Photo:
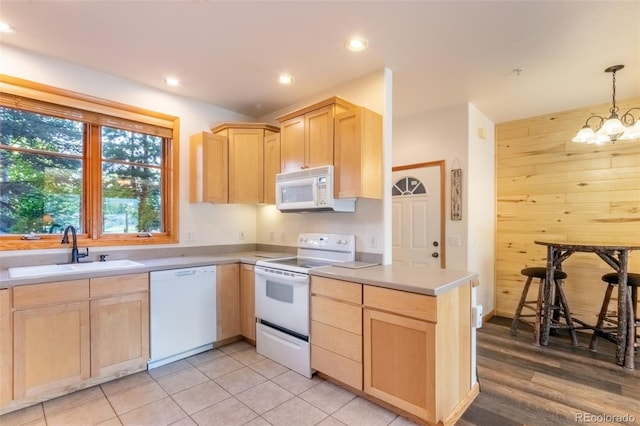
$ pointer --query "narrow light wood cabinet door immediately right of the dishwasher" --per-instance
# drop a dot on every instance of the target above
(228, 300)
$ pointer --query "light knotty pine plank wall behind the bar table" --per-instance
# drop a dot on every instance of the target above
(551, 188)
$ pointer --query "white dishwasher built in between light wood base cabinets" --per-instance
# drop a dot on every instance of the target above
(183, 313)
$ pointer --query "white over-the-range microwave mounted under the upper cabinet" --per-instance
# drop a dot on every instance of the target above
(310, 190)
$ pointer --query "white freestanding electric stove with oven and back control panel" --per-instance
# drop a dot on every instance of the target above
(283, 297)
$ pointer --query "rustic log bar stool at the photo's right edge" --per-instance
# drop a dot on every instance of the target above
(607, 325)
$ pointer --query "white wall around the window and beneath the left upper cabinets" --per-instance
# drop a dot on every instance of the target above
(212, 224)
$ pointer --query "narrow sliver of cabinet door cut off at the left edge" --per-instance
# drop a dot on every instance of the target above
(6, 348)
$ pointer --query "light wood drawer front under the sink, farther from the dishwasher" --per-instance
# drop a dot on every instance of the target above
(31, 296)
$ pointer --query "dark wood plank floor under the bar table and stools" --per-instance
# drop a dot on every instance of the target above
(521, 384)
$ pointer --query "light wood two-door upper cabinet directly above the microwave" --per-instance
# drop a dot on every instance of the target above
(306, 135)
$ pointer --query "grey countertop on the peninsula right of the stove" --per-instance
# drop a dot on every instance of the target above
(432, 282)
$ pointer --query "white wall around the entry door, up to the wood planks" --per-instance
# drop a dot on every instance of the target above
(451, 134)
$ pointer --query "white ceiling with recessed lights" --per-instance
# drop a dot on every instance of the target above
(442, 53)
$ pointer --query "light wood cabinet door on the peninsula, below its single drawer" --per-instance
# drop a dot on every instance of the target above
(399, 362)
